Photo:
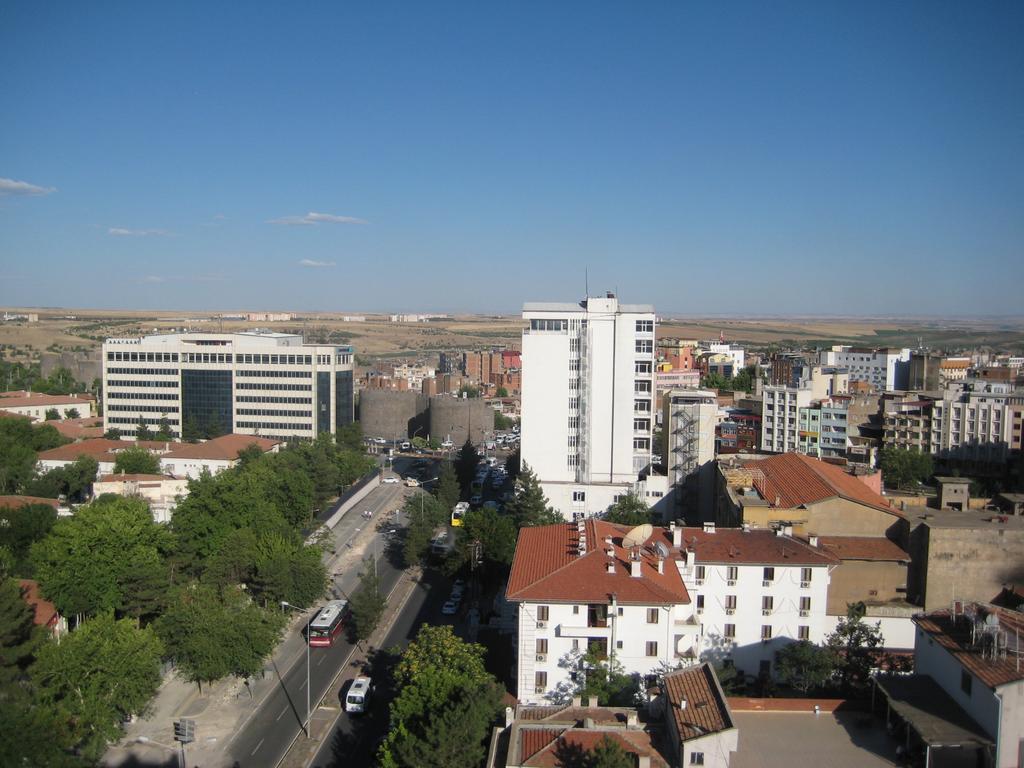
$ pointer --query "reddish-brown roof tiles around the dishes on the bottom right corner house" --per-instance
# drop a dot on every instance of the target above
(956, 638)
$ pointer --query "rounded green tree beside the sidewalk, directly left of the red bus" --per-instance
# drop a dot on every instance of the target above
(203, 627)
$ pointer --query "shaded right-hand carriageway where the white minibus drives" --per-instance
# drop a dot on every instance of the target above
(355, 740)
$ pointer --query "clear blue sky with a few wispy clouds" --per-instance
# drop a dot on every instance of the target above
(741, 158)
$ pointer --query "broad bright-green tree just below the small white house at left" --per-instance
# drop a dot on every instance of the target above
(86, 563)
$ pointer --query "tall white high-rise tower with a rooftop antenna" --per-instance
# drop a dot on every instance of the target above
(588, 374)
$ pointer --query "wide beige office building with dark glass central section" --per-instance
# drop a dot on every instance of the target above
(211, 385)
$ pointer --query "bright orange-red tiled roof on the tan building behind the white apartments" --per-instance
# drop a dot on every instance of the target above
(796, 481)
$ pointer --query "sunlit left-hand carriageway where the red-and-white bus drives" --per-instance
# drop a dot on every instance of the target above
(268, 735)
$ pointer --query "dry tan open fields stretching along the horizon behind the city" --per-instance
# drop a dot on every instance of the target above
(84, 329)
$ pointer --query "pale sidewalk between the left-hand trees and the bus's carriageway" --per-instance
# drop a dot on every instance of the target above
(222, 710)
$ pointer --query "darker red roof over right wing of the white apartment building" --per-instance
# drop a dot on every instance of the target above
(752, 547)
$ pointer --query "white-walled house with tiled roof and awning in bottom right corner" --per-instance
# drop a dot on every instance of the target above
(965, 703)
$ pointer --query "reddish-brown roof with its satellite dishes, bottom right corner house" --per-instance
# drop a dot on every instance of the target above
(961, 636)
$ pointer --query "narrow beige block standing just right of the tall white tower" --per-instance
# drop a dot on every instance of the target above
(689, 418)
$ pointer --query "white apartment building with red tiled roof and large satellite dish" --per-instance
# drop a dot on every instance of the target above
(682, 595)
